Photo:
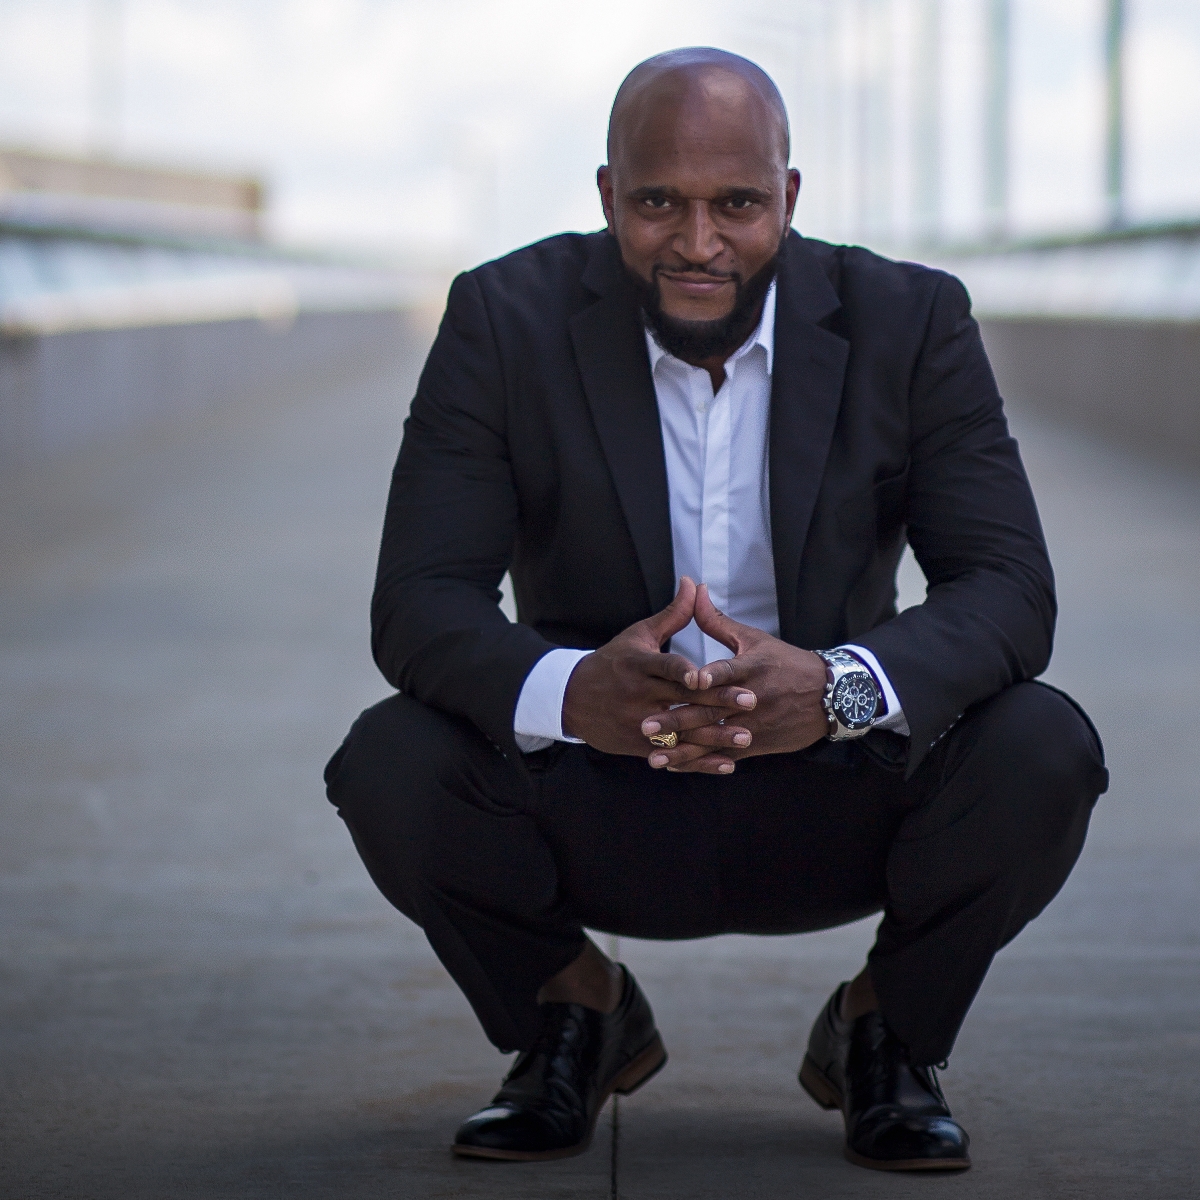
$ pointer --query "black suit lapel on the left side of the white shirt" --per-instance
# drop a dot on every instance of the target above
(610, 351)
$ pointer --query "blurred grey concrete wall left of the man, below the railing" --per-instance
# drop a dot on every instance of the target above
(65, 391)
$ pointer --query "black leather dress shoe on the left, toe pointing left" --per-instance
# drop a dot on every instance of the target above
(549, 1103)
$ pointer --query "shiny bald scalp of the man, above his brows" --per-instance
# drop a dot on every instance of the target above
(691, 85)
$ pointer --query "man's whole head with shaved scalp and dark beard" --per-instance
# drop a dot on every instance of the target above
(699, 195)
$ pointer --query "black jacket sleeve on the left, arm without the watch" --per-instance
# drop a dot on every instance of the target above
(437, 631)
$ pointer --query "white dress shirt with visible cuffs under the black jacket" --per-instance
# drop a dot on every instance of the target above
(718, 482)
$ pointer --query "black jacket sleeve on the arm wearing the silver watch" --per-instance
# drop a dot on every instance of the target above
(989, 616)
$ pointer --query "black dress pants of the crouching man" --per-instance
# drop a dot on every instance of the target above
(503, 868)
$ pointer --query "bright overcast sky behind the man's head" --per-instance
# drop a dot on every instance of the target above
(460, 129)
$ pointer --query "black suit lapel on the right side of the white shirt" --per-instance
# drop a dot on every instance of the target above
(808, 373)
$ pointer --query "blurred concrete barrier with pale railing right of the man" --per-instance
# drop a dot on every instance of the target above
(1101, 331)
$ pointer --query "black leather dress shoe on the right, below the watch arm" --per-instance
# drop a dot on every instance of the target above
(897, 1118)
